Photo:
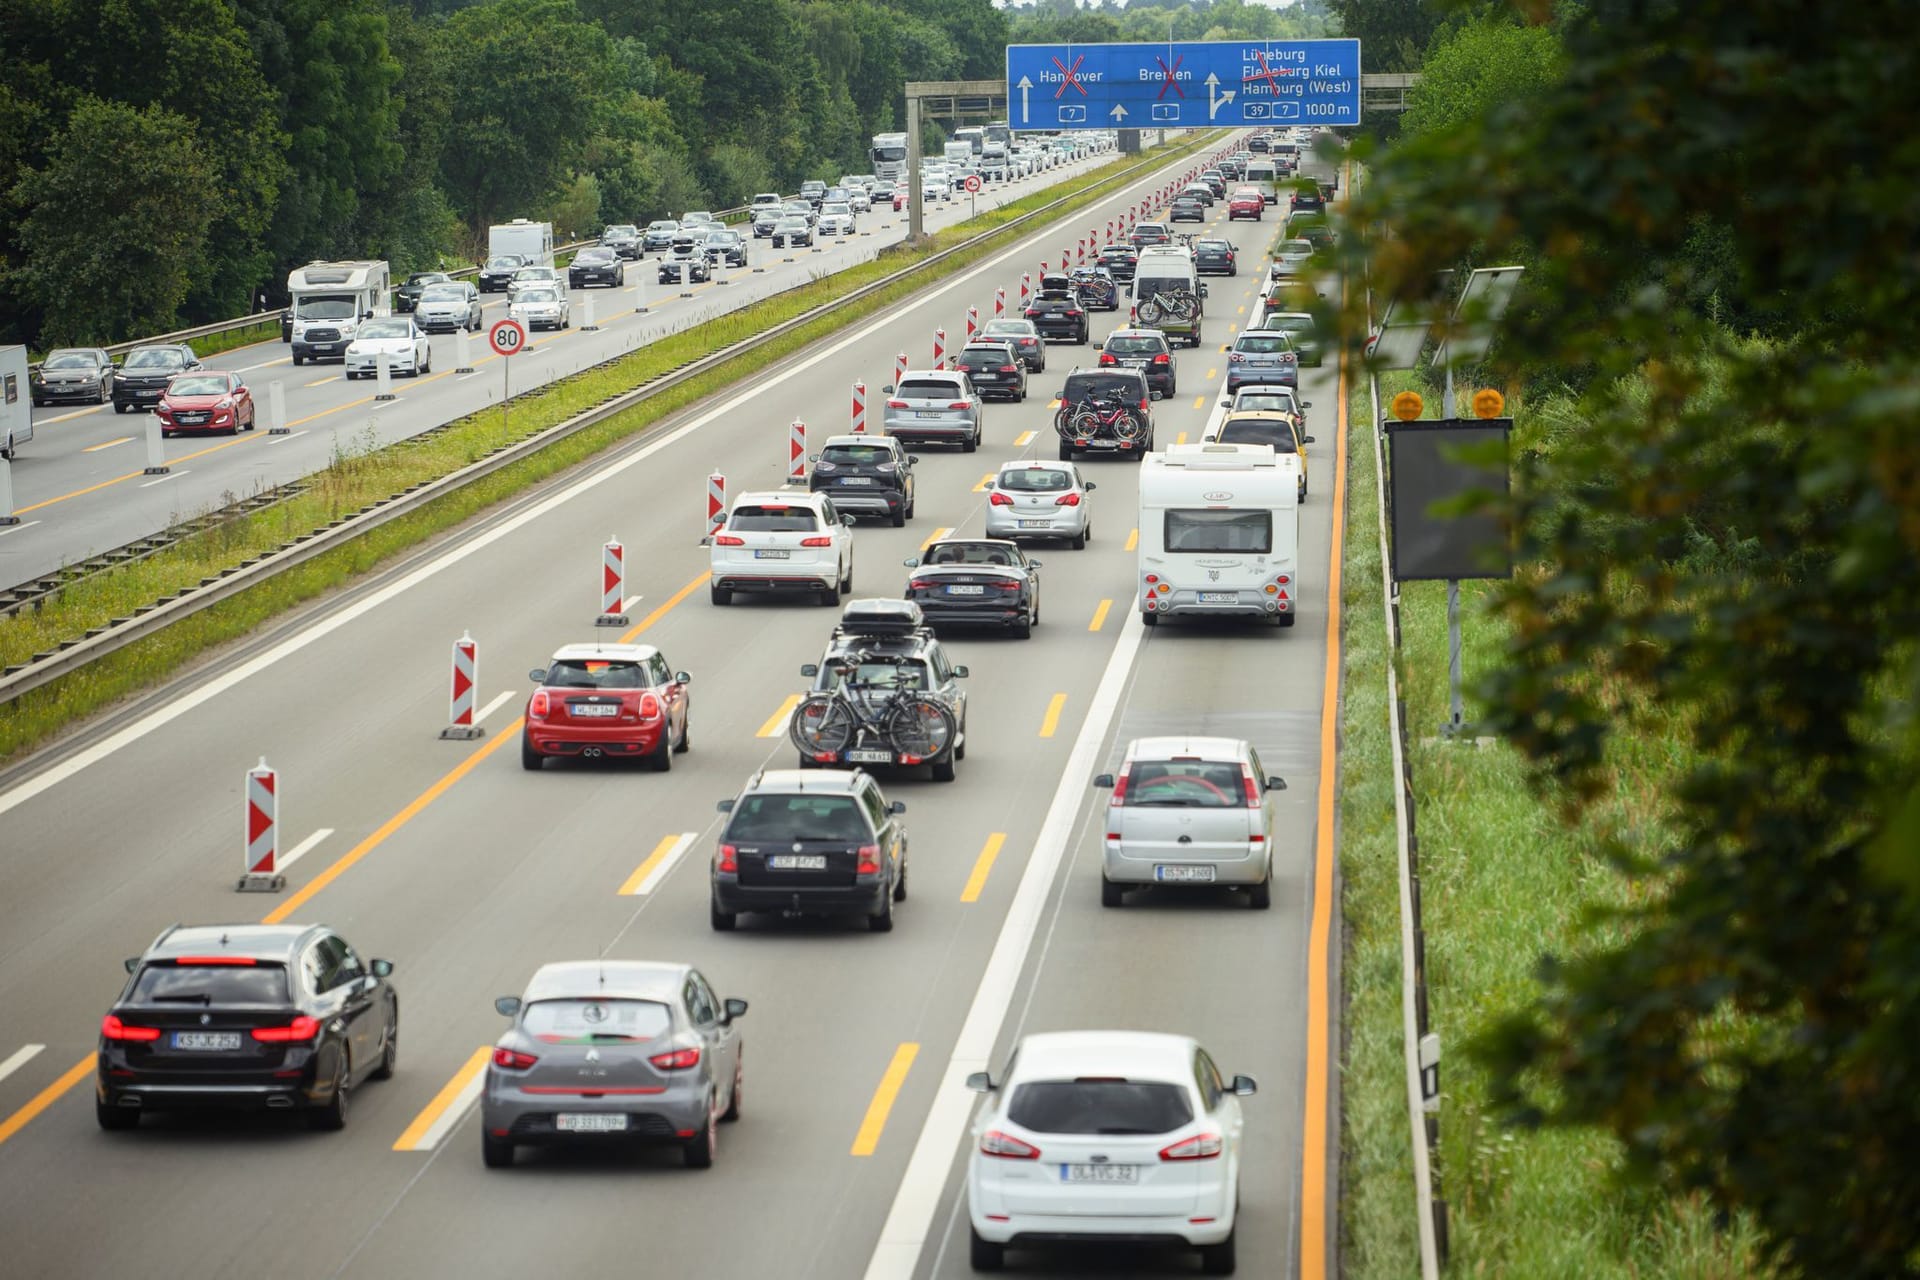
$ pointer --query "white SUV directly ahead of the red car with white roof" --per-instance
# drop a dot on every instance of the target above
(782, 540)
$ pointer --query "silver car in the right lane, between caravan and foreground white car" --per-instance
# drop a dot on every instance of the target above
(1189, 811)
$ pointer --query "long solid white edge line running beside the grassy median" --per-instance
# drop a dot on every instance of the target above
(454, 556)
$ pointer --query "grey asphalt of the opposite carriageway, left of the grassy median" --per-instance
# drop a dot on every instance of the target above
(80, 486)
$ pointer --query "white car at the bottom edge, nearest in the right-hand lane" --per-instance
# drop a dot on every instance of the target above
(1118, 1135)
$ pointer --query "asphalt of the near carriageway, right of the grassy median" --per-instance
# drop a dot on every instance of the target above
(469, 874)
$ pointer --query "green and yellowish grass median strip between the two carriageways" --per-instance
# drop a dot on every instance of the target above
(362, 477)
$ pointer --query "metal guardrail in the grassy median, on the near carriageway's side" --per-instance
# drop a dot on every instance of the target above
(147, 621)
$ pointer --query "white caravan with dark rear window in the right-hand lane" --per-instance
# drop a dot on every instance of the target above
(1220, 534)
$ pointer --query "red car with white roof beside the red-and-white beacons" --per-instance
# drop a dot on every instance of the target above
(617, 701)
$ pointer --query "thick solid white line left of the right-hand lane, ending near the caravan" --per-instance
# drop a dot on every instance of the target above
(911, 1220)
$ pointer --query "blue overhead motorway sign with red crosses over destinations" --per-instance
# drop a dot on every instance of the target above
(1184, 85)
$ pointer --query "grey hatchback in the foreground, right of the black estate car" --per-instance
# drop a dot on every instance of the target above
(613, 1051)
